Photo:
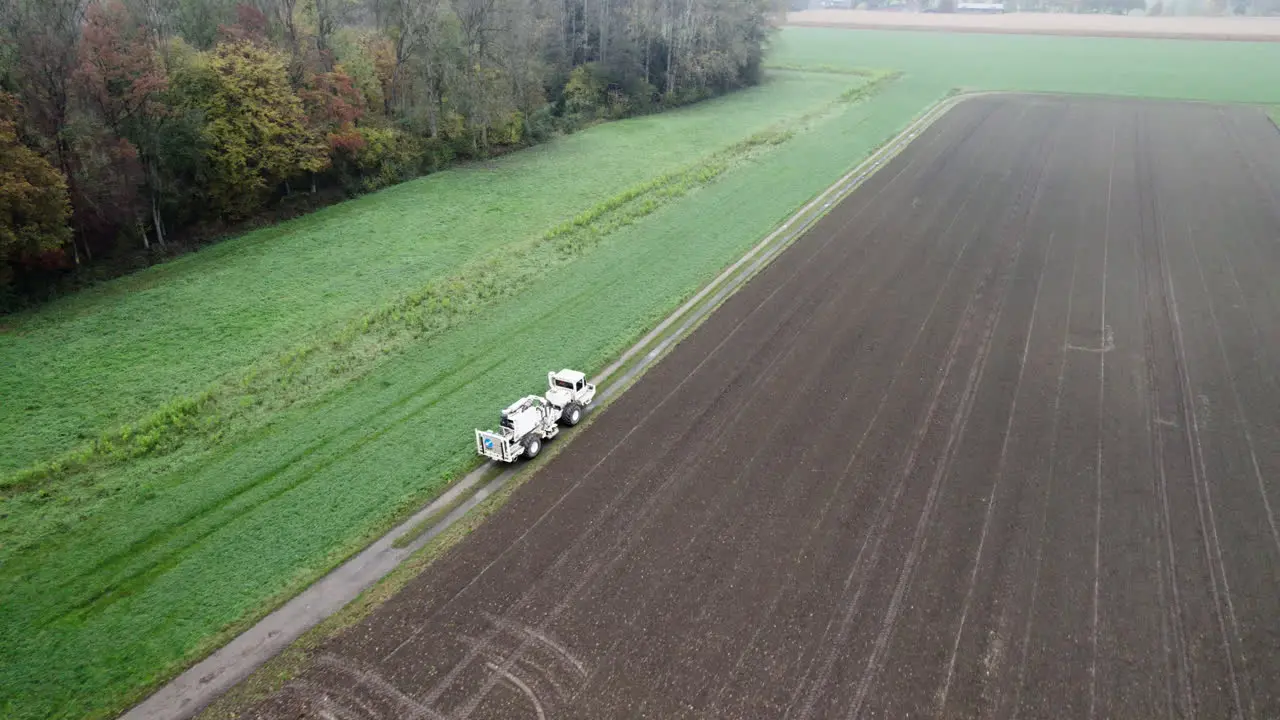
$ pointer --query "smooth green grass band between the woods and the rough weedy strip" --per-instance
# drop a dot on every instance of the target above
(112, 354)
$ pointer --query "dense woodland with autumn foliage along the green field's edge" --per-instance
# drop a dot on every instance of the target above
(126, 125)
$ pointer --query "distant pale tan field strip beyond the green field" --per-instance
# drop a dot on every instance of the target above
(1260, 30)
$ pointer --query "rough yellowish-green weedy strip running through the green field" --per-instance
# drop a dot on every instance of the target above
(310, 371)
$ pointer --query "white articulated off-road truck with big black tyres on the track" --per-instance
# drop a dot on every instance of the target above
(533, 420)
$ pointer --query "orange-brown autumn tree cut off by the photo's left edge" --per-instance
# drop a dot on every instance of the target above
(34, 204)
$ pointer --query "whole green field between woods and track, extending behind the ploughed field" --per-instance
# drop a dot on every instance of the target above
(287, 395)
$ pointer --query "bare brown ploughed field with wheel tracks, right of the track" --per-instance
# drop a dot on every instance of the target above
(999, 438)
